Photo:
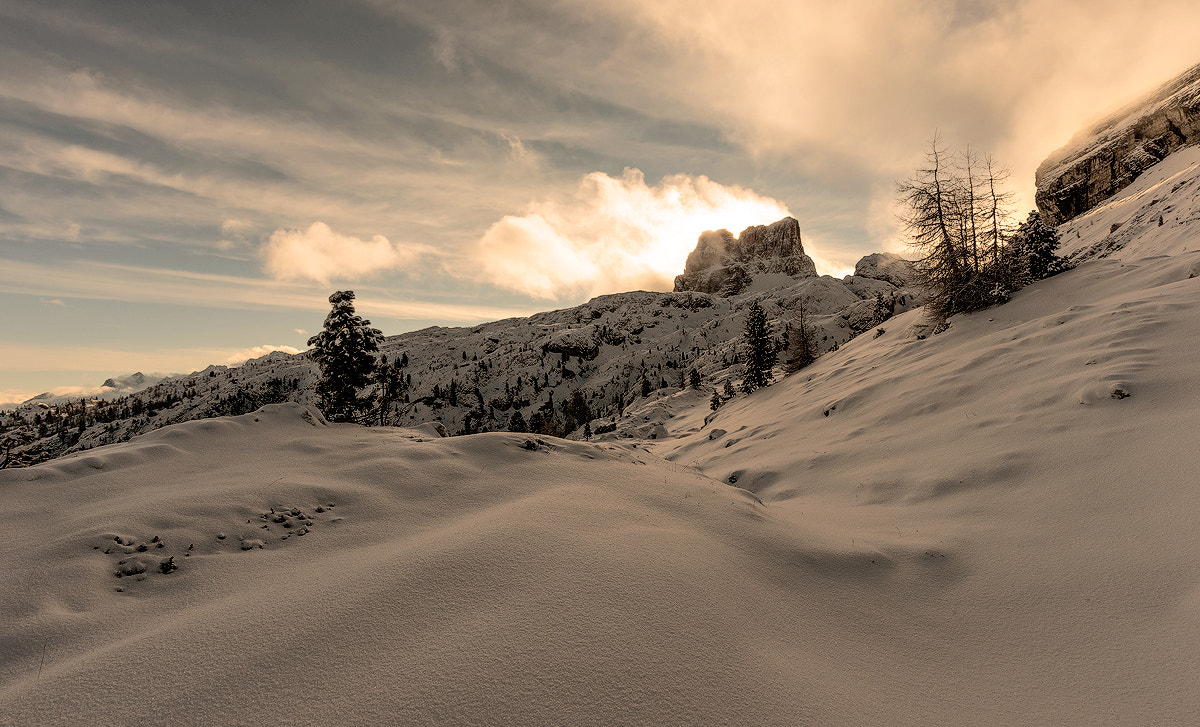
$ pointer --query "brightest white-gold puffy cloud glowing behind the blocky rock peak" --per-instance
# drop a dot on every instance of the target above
(615, 235)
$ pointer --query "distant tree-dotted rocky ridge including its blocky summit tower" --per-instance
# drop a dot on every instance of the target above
(610, 350)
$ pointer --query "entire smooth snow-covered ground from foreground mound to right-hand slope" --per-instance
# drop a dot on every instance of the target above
(992, 526)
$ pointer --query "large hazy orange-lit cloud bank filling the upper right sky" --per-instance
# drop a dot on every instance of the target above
(871, 81)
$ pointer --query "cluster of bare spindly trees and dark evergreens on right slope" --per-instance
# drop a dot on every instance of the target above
(957, 214)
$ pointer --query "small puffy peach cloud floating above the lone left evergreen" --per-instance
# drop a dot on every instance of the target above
(321, 255)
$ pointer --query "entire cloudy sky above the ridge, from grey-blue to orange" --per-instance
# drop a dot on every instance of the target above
(184, 183)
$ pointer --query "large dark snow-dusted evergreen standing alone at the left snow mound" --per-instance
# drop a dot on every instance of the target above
(345, 352)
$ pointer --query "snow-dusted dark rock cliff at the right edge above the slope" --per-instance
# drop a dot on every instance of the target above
(1107, 158)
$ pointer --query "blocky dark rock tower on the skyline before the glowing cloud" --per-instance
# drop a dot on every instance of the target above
(723, 265)
